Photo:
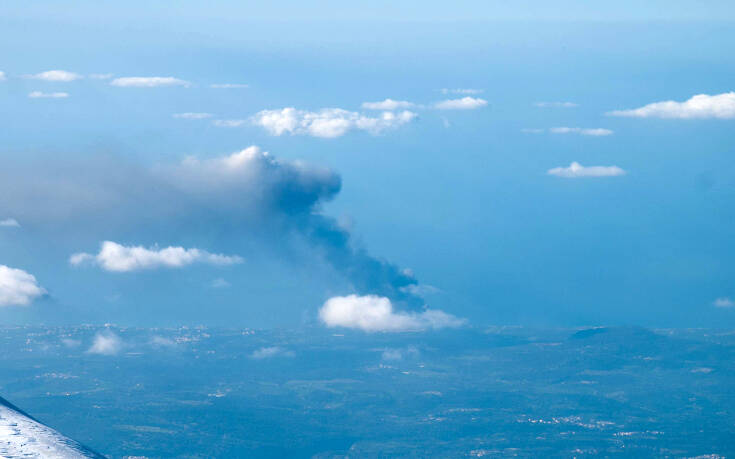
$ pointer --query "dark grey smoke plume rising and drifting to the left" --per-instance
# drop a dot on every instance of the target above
(258, 197)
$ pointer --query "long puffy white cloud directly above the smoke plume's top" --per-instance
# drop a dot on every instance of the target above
(328, 122)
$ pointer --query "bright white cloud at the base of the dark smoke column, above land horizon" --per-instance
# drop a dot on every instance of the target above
(374, 313)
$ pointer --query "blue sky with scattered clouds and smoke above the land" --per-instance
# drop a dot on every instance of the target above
(468, 209)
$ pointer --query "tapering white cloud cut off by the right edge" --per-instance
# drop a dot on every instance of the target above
(701, 106)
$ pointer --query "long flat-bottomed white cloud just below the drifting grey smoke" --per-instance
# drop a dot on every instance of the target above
(119, 258)
